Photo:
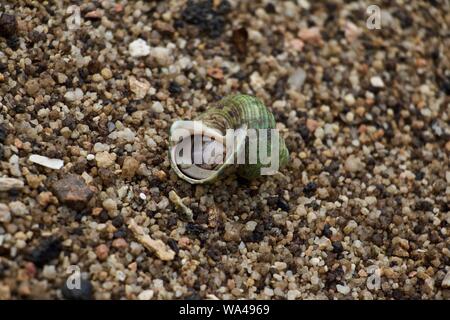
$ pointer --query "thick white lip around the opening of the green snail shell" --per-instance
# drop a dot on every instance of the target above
(195, 174)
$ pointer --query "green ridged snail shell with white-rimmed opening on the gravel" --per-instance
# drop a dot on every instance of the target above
(238, 112)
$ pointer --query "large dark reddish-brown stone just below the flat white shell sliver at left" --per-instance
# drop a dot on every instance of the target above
(72, 191)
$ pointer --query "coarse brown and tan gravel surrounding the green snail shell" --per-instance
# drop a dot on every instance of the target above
(360, 212)
